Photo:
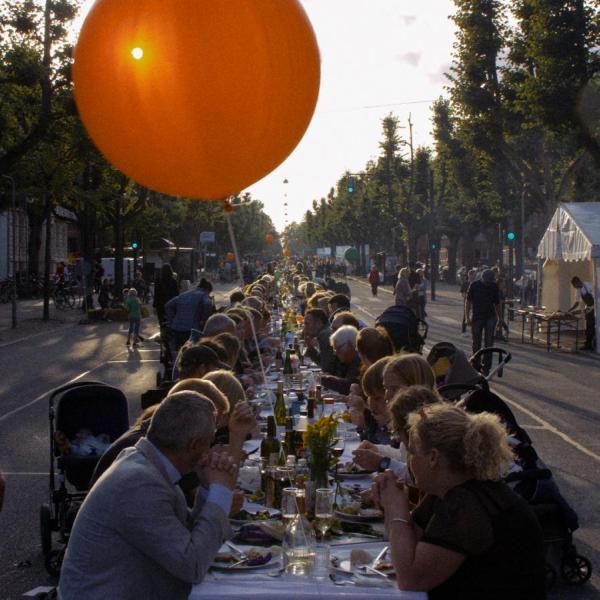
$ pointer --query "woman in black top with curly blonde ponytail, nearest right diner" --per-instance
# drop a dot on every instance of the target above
(471, 537)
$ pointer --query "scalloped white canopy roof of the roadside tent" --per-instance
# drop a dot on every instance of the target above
(573, 233)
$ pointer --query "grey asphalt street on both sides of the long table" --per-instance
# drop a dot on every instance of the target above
(554, 395)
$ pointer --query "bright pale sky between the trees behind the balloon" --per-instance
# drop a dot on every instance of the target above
(378, 56)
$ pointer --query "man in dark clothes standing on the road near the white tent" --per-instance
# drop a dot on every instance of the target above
(483, 299)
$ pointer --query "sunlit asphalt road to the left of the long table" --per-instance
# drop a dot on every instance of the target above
(36, 358)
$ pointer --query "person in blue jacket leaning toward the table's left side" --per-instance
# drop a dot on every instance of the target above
(188, 311)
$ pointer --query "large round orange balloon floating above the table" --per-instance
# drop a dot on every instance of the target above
(196, 98)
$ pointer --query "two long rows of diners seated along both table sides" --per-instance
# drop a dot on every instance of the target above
(158, 510)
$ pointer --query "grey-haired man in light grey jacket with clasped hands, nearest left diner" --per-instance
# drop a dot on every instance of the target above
(134, 536)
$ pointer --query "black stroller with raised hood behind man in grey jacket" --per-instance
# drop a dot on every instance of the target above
(85, 405)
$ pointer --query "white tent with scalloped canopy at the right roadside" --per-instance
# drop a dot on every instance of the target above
(571, 246)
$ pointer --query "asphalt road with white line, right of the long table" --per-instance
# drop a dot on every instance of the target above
(555, 396)
